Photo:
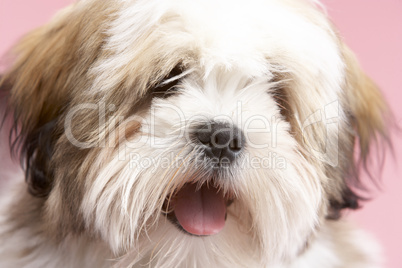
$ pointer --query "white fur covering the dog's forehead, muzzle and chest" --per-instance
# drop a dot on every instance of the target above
(276, 210)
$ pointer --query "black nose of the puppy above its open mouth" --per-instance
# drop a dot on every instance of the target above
(220, 141)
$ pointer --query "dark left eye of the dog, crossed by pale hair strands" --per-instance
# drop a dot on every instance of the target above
(169, 84)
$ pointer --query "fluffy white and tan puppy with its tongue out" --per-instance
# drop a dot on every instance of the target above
(188, 134)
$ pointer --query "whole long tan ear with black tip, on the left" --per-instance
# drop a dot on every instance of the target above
(49, 65)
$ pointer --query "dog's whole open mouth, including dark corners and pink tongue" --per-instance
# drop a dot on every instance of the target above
(198, 210)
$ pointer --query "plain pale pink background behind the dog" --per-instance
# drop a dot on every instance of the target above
(372, 28)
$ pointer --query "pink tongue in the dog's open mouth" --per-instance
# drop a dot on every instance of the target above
(200, 212)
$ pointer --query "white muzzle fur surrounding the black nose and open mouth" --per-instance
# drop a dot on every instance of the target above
(137, 187)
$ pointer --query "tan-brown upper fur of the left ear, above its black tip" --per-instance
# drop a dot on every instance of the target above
(52, 61)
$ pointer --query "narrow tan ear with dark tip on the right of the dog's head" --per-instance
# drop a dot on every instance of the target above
(368, 115)
